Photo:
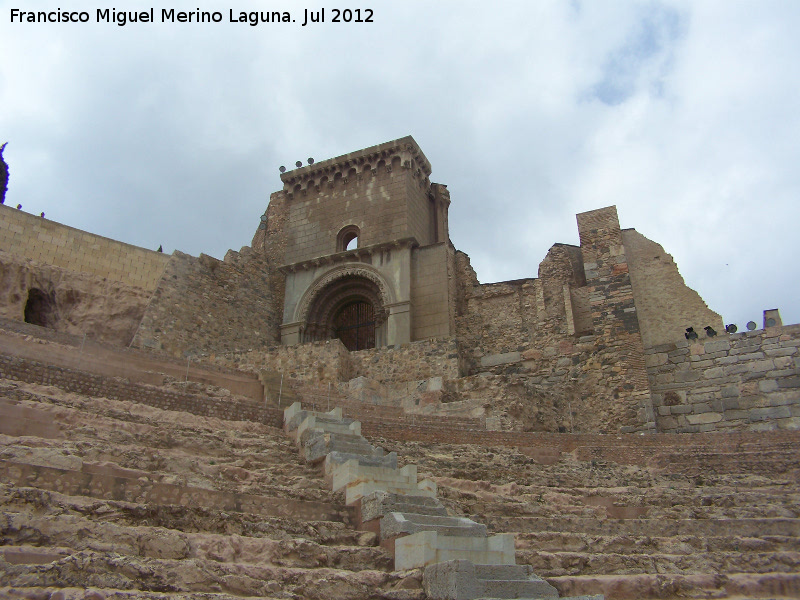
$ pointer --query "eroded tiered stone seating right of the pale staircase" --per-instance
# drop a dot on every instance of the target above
(632, 531)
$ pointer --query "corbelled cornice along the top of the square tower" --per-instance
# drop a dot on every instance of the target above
(357, 166)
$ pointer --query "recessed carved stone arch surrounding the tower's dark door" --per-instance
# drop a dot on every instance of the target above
(331, 294)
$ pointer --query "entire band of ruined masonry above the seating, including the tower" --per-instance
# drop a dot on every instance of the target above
(351, 283)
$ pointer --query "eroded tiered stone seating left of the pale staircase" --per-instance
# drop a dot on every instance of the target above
(105, 498)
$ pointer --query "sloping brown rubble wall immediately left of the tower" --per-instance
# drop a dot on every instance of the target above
(204, 306)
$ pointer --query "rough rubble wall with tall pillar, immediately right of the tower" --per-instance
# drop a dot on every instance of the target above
(563, 351)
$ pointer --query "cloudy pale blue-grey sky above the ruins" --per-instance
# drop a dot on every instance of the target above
(683, 114)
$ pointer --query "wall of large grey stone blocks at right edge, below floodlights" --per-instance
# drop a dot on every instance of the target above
(742, 381)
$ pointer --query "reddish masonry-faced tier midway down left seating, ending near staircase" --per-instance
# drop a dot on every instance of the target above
(97, 482)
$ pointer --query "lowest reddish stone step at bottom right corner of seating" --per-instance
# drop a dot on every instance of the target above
(677, 585)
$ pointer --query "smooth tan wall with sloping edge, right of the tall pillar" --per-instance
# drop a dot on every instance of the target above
(665, 305)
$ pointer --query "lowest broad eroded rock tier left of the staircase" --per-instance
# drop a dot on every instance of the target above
(86, 569)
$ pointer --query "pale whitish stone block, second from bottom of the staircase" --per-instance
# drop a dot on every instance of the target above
(428, 547)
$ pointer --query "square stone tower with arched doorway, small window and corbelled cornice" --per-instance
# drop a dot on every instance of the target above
(368, 258)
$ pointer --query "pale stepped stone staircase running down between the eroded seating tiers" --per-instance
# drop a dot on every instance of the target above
(461, 560)
